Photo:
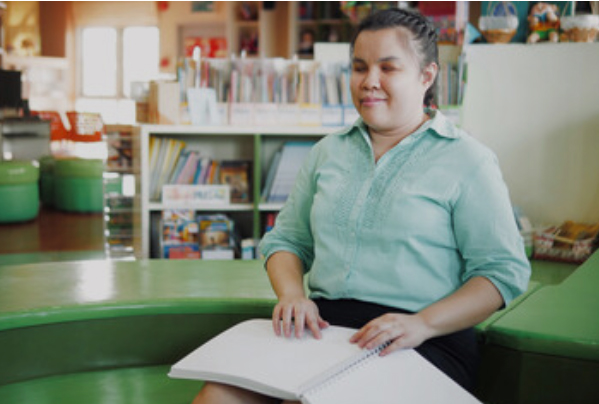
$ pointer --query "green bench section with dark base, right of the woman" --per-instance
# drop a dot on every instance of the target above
(547, 350)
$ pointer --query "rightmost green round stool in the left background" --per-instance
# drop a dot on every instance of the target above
(78, 185)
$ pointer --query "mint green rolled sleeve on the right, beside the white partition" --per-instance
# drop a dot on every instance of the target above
(486, 232)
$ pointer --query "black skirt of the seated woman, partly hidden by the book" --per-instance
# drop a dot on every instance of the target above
(455, 354)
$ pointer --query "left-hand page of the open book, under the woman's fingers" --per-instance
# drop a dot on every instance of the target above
(251, 356)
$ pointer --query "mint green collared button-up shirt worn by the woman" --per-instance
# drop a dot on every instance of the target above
(406, 231)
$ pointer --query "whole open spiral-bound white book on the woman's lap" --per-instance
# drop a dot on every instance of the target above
(329, 370)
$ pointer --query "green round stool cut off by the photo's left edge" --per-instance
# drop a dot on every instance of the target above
(19, 194)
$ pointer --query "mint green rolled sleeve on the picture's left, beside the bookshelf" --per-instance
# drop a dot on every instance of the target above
(292, 230)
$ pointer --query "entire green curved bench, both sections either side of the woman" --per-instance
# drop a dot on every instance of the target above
(108, 331)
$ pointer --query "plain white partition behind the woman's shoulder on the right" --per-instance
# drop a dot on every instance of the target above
(537, 107)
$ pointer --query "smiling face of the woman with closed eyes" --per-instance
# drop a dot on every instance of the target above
(387, 82)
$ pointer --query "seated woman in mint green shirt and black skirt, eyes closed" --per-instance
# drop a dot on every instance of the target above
(401, 222)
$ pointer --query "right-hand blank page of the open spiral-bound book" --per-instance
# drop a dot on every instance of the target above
(401, 377)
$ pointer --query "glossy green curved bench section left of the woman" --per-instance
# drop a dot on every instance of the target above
(111, 330)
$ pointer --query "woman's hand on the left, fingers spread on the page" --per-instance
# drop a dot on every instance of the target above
(300, 312)
